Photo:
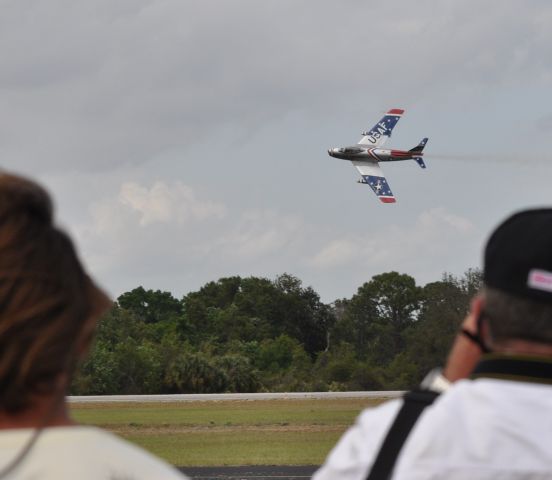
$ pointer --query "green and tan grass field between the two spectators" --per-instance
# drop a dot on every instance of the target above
(263, 432)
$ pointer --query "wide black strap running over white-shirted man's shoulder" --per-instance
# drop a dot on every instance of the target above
(414, 404)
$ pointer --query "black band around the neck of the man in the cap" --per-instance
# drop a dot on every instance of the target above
(515, 367)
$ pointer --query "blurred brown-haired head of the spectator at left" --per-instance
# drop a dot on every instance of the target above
(48, 304)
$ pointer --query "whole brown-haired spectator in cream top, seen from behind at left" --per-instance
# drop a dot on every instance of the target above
(49, 308)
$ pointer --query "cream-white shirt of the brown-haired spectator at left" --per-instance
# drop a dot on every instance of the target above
(83, 453)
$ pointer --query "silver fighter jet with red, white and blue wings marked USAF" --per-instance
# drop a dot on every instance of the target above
(367, 154)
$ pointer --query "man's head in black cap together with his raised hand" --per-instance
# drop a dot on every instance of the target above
(513, 313)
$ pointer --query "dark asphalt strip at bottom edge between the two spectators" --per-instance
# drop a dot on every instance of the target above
(256, 472)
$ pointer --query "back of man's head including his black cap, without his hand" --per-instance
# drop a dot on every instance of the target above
(518, 279)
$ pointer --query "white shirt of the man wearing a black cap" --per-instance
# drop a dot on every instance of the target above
(478, 430)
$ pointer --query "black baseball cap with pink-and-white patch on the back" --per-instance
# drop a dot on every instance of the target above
(518, 255)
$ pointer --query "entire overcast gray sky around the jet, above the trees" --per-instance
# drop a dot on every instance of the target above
(185, 141)
